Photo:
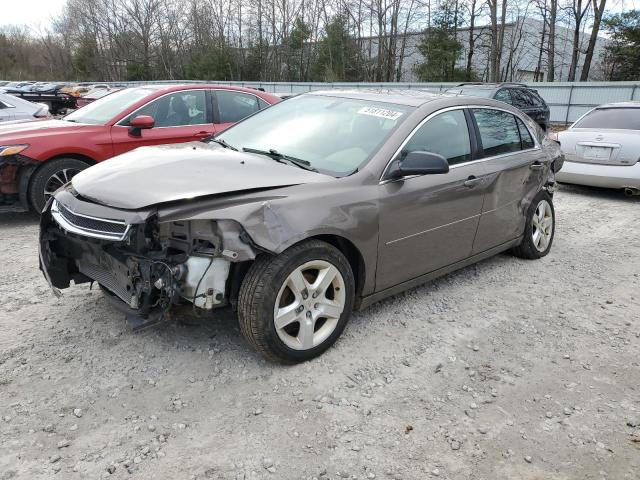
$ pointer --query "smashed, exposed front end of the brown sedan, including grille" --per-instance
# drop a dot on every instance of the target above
(146, 267)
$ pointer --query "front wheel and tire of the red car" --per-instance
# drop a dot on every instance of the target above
(52, 174)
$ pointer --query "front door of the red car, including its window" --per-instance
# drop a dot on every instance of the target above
(181, 116)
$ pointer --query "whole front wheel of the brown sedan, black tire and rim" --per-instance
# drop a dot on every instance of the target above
(272, 279)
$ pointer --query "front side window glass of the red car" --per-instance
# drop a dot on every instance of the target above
(177, 109)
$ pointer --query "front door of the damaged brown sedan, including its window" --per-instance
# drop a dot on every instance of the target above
(428, 222)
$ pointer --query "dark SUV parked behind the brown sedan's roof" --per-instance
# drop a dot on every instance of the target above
(519, 95)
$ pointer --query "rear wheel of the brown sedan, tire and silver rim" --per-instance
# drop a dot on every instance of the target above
(538, 235)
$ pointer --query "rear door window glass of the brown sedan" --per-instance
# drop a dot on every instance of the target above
(498, 131)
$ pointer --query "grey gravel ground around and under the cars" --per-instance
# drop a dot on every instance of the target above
(507, 369)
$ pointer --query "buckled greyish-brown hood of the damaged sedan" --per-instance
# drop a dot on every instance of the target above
(153, 175)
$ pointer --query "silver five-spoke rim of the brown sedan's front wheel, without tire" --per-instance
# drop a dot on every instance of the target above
(309, 305)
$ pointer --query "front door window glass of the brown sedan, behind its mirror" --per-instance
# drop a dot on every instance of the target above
(446, 134)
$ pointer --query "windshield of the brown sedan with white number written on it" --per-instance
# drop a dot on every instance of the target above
(333, 135)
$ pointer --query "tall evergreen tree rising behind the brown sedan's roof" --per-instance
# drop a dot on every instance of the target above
(441, 49)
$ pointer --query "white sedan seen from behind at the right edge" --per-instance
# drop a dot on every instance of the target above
(602, 148)
